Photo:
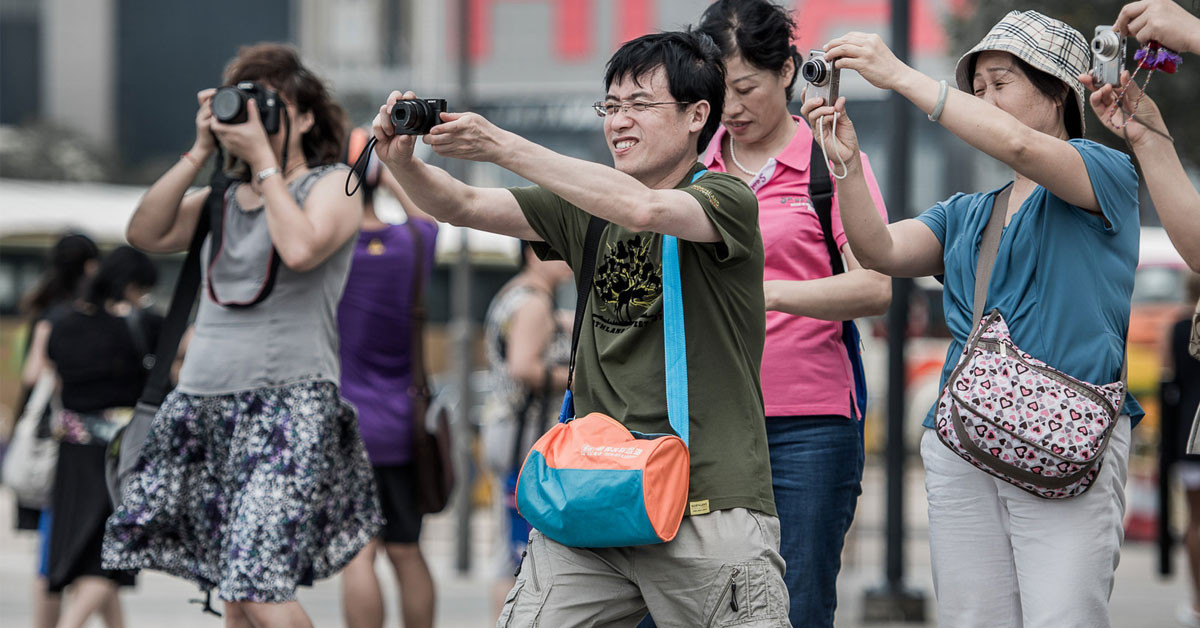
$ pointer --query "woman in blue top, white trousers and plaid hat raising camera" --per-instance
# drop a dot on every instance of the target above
(1063, 282)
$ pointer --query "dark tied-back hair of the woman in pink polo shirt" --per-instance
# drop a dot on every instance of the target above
(760, 31)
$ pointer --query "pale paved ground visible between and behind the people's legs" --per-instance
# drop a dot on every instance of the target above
(1141, 599)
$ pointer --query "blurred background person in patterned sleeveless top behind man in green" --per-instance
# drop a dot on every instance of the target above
(527, 349)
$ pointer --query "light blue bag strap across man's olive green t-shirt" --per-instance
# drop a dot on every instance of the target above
(675, 338)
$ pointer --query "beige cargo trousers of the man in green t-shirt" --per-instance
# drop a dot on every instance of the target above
(722, 570)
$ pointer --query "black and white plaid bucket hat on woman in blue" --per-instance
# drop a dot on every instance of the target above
(1046, 44)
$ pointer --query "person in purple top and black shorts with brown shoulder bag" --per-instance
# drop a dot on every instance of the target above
(379, 320)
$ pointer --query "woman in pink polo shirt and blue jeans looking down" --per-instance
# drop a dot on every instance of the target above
(807, 382)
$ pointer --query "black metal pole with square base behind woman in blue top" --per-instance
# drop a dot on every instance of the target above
(893, 601)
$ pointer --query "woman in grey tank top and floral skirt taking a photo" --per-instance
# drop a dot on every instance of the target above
(255, 479)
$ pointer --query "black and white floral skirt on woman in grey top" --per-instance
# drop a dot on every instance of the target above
(250, 494)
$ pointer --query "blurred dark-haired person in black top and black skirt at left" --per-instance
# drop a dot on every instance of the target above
(101, 351)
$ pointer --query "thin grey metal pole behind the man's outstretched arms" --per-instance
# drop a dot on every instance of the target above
(463, 328)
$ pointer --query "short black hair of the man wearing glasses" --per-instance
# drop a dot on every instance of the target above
(693, 65)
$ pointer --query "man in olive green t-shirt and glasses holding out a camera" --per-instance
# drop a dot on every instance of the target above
(664, 101)
